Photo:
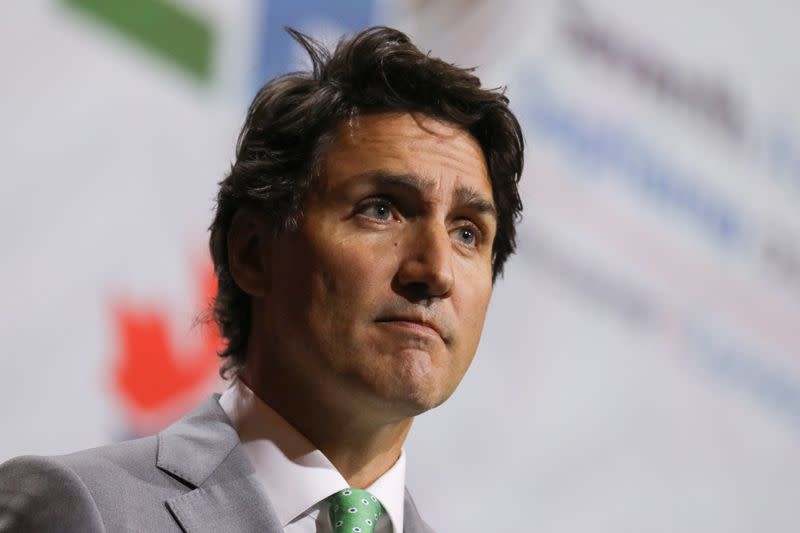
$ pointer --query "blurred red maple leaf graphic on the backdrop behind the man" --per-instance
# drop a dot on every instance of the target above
(153, 371)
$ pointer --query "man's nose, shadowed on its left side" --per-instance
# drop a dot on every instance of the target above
(426, 269)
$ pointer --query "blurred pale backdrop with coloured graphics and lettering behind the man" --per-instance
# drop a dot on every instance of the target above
(640, 368)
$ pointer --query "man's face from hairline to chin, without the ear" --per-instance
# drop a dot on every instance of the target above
(380, 295)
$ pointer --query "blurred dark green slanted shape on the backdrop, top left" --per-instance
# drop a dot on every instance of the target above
(173, 33)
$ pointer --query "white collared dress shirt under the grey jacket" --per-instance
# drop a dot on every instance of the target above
(295, 475)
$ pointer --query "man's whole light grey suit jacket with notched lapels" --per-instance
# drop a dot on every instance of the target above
(194, 476)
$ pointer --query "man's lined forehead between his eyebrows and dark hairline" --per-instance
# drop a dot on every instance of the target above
(444, 157)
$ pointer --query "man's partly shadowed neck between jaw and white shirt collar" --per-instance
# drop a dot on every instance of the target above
(361, 447)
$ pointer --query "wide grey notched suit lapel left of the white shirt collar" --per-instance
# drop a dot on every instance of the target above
(204, 451)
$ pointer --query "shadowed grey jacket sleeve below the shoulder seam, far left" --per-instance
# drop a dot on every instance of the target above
(43, 494)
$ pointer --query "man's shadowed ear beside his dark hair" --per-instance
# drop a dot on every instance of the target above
(249, 251)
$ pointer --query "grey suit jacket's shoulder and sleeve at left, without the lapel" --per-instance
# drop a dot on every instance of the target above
(117, 487)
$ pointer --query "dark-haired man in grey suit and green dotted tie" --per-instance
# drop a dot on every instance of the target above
(370, 208)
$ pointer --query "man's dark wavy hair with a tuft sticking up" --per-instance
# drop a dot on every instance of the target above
(294, 115)
